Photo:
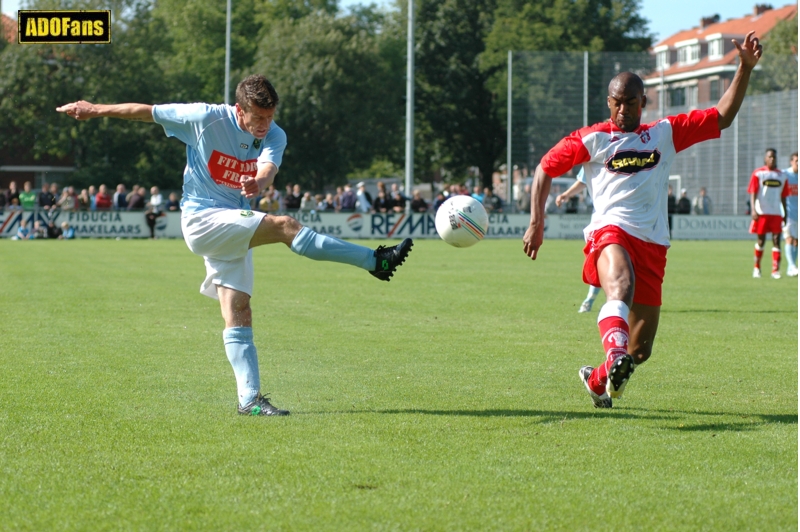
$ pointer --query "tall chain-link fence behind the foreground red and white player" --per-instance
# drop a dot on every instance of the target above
(555, 93)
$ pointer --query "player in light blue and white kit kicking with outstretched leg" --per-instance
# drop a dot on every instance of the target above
(233, 153)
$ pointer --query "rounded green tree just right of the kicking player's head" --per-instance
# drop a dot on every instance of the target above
(341, 94)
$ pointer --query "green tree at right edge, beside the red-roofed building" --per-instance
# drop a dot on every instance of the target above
(778, 66)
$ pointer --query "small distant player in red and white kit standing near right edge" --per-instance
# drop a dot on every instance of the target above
(768, 190)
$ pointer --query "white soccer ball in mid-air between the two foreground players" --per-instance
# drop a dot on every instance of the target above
(462, 221)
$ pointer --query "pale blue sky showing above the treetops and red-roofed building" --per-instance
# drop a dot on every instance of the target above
(666, 16)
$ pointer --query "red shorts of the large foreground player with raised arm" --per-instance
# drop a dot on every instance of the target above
(649, 261)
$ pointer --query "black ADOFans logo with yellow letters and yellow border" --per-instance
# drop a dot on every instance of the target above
(64, 27)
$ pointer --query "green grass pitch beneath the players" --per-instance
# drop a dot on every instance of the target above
(447, 399)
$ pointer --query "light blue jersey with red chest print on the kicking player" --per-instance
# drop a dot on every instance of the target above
(218, 153)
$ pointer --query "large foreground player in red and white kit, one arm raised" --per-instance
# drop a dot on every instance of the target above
(627, 164)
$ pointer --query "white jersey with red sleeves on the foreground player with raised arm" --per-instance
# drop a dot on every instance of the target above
(629, 171)
